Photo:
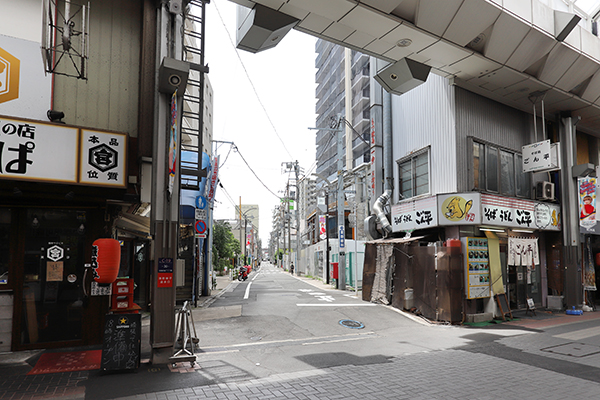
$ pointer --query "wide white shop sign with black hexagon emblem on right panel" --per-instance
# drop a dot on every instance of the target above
(38, 151)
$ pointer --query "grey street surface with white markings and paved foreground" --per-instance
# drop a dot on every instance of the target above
(277, 336)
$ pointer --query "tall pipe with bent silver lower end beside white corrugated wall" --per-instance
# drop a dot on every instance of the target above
(379, 205)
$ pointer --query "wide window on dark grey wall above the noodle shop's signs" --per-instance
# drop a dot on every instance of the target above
(500, 171)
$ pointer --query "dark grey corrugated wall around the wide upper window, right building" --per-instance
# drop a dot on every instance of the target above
(490, 121)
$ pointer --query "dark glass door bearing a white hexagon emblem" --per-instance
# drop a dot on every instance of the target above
(53, 266)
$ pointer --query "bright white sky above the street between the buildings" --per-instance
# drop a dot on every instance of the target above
(266, 135)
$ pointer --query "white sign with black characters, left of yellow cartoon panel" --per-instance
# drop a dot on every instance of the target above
(414, 214)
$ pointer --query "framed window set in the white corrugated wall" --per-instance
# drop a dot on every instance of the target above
(414, 175)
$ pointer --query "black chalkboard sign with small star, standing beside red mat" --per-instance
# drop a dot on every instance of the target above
(122, 340)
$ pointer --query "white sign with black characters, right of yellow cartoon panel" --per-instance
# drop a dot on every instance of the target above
(516, 213)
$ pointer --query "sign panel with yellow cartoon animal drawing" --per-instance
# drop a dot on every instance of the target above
(459, 209)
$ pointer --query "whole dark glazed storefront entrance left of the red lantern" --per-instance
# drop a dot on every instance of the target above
(48, 251)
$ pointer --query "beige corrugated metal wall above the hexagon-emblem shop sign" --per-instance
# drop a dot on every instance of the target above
(109, 98)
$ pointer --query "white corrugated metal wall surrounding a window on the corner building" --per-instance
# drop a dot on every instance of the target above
(425, 117)
